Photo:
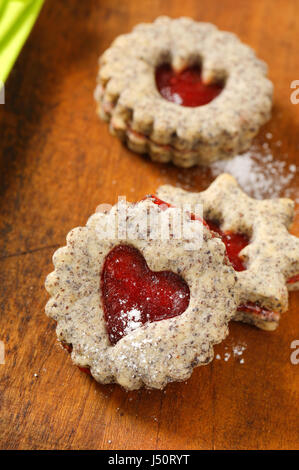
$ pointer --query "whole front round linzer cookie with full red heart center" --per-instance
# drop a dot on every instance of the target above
(143, 310)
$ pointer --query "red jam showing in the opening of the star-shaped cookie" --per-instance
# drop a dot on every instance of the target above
(234, 243)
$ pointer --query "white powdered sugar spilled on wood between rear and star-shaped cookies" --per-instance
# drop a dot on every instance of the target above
(259, 173)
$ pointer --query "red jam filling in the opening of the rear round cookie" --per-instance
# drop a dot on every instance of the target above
(186, 87)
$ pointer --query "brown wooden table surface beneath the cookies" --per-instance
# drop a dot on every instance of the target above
(58, 162)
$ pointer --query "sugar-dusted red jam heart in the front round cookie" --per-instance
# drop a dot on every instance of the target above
(133, 295)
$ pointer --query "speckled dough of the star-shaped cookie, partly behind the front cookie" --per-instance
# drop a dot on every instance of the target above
(271, 257)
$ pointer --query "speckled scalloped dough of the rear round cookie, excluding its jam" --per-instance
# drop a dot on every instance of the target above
(128, 98)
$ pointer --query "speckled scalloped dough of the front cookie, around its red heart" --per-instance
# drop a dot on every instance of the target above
(155, 353)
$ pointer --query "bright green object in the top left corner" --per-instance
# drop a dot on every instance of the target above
(17, 18)
